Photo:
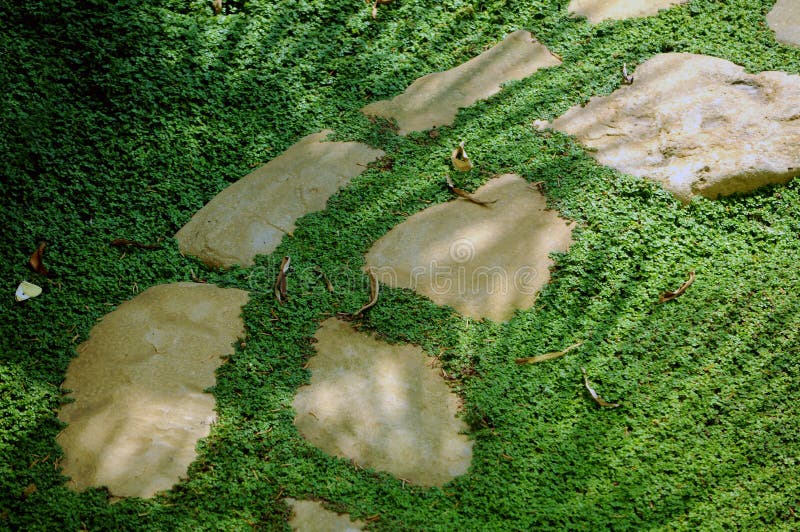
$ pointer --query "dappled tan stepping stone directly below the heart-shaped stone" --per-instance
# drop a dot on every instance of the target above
(383, 406)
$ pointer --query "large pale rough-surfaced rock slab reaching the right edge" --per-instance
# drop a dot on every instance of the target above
(697, 124)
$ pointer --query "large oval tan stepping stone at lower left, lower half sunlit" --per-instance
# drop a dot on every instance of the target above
(138, 384)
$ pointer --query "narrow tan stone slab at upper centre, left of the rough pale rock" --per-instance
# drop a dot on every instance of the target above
(434, 100)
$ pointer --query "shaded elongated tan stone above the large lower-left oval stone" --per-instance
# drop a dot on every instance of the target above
(251, 216)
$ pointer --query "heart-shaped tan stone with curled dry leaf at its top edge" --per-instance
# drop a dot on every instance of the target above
(485, 261)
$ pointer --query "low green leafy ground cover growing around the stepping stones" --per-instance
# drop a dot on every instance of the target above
(122, 119)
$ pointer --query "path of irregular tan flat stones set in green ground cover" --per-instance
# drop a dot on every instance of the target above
(139, 381)
